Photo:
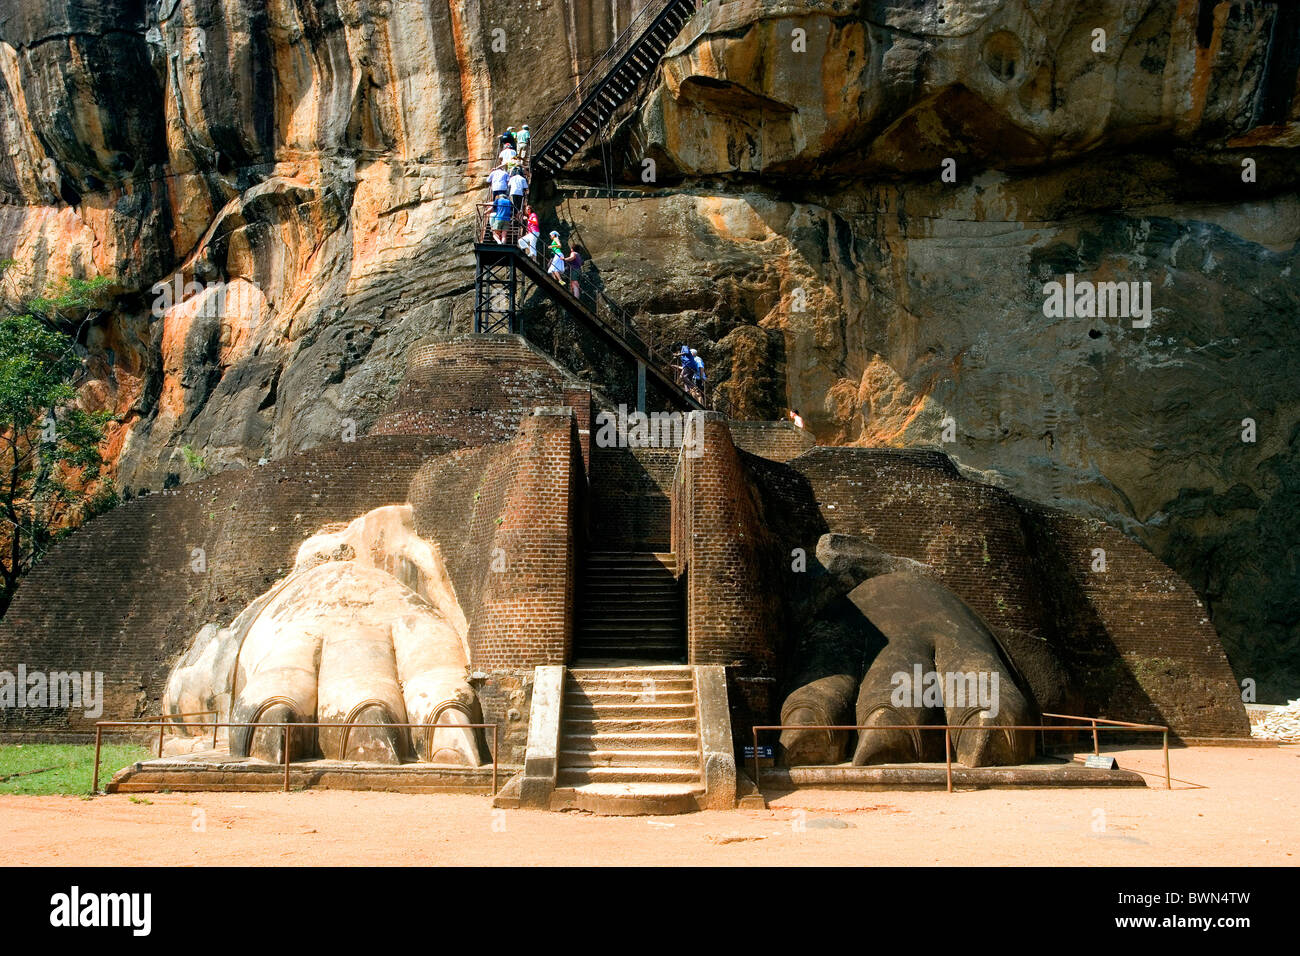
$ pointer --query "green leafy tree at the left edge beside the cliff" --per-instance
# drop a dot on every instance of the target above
(50, 448)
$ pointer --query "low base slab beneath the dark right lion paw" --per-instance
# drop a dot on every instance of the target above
(935, 777)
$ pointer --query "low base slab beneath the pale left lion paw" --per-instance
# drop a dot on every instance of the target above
(218, 771)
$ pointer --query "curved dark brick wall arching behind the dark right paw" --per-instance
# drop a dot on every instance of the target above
(1137, 638)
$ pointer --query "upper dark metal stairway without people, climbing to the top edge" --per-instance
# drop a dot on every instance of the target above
(610, 84)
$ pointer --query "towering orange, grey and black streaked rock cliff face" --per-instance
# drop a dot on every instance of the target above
(313, 166)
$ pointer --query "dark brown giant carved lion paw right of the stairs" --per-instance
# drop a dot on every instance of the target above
(903, 650)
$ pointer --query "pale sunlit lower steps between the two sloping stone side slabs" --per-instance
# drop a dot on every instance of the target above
(630, 742)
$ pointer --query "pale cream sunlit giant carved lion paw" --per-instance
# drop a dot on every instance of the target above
(365, 630)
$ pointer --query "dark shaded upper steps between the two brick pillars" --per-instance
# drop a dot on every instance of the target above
(630, 608)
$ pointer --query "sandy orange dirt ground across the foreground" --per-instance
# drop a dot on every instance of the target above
(1229, 807)
